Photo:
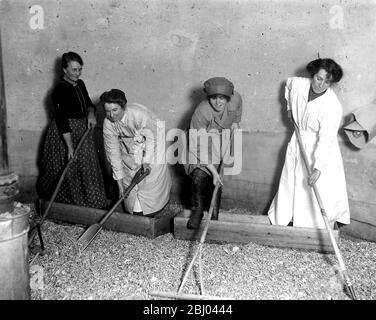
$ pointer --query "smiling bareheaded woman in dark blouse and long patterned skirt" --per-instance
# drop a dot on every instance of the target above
(74, 113)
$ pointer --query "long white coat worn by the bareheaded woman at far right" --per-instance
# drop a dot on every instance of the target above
(318, 122)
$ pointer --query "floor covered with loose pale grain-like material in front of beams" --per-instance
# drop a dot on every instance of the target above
(127, 267)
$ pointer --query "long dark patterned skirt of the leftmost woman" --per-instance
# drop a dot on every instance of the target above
(83, 183)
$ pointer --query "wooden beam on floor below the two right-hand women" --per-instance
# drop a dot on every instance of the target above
(242, 228)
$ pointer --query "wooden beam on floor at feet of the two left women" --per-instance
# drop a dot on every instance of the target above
(150, 227)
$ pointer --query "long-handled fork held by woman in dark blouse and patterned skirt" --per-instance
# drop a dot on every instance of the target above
(36, 228)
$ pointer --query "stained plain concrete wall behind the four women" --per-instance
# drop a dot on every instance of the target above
(160, 52)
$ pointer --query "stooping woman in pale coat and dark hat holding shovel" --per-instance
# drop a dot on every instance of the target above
(130, 133)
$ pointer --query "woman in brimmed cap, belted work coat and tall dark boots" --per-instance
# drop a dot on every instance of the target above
(222, 109)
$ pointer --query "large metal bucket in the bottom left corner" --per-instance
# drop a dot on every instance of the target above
(14, 267)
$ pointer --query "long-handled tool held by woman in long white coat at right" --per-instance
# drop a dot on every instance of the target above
(342, 270)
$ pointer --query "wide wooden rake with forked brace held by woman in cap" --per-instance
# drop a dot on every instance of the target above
(198, 254)
